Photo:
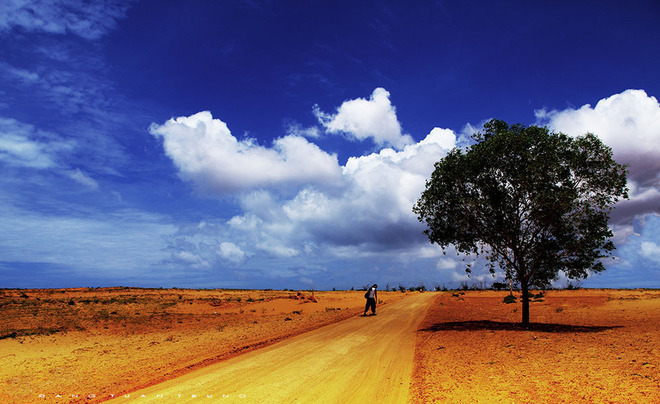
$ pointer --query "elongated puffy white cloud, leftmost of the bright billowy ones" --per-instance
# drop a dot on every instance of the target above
(207, 154)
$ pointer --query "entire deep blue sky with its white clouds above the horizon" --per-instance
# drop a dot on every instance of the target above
(272, 144)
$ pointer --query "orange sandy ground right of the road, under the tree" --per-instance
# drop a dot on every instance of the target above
(592, 346)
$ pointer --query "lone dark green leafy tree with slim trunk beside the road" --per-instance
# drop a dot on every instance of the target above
(531, 201)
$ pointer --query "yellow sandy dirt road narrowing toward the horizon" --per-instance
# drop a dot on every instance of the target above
(359, 360)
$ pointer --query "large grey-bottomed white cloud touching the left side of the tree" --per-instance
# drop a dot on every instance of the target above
(373, 214)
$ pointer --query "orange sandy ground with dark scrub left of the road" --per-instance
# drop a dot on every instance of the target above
(85, 344)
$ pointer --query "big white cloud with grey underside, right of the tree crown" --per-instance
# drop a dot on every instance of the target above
(629, 122)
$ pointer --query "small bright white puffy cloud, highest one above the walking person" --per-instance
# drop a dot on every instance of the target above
(362, 119)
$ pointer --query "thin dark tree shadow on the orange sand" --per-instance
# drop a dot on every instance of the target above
(481, 325)
